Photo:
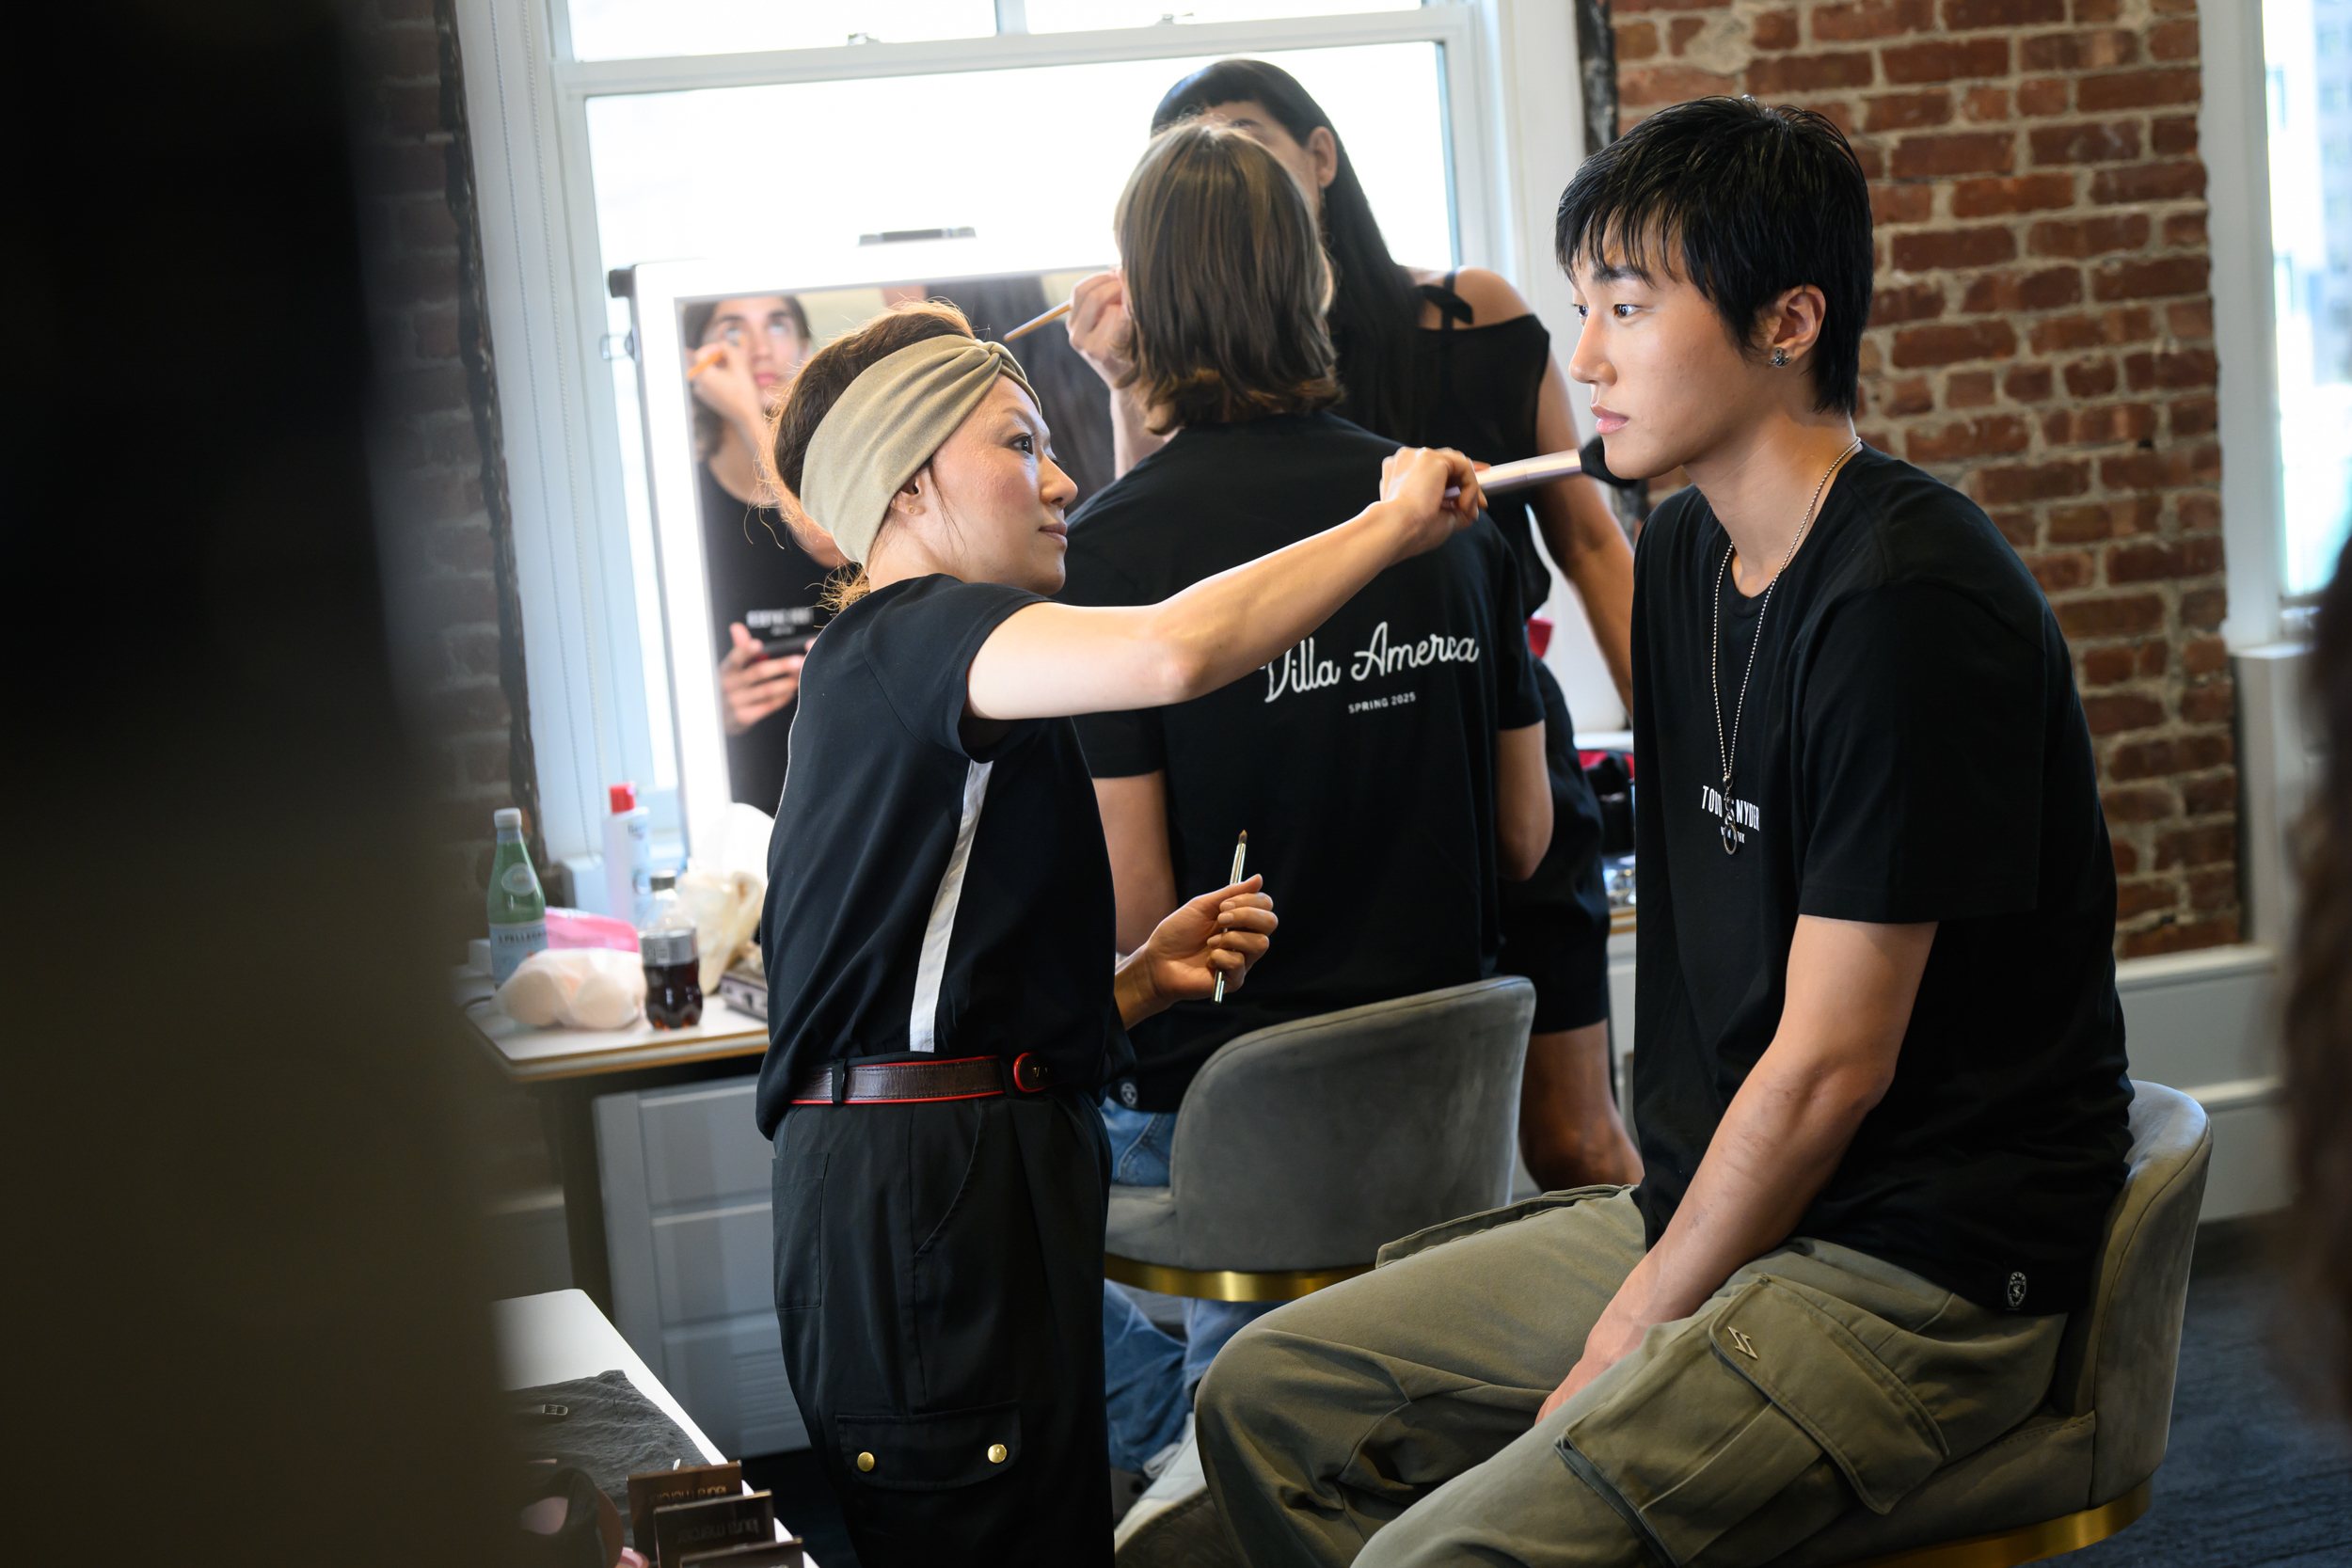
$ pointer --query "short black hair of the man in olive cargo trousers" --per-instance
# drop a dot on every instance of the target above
(1758, 201)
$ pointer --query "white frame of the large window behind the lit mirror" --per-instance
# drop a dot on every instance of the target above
(1516, 112)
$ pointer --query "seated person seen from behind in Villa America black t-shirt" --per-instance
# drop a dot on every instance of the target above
(1389, 770)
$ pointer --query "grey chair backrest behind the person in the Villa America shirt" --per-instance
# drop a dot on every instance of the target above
(1311, 1144)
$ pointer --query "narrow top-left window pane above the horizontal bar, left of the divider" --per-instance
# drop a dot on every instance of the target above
(636, 29)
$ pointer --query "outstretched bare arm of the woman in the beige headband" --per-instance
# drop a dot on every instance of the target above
(1064, 659)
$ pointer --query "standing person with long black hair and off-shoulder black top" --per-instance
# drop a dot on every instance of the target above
(1455, 361)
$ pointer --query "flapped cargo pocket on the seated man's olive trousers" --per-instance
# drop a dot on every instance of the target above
(1735, 1409)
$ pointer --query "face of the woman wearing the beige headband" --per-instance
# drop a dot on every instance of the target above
(998, 497)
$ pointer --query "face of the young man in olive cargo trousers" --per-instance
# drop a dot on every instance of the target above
(1666, 380)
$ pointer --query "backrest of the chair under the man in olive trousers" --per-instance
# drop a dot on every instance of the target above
(2120, 1353)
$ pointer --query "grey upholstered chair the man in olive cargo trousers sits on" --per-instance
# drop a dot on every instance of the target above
(2078, 1470)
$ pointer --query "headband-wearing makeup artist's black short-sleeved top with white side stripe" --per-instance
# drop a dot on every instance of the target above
(928, 902)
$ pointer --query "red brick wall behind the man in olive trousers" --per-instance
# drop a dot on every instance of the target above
(2043, 340)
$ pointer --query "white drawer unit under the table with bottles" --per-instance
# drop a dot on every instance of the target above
(686, 1184)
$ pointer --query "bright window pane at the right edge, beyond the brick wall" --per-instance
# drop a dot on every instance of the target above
(2311, 241)
